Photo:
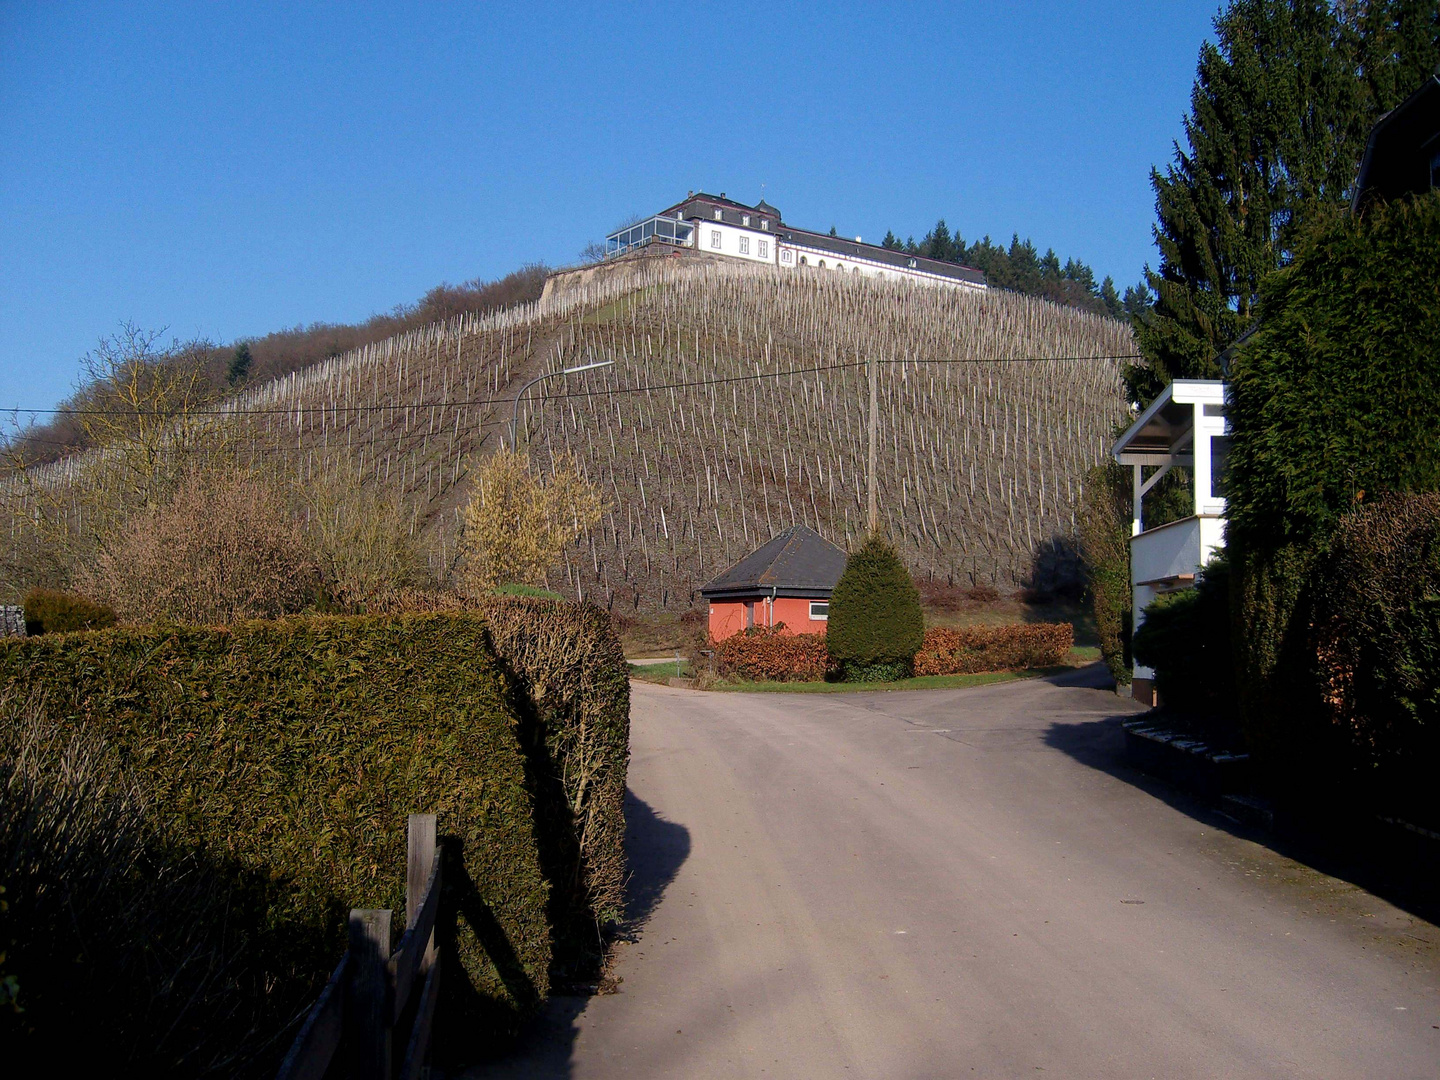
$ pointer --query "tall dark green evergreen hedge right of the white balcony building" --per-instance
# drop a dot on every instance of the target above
(1336, 401)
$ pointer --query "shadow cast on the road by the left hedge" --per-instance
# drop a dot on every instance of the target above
(656, 850)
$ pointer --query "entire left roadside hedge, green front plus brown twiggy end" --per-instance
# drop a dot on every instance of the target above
(292, 752)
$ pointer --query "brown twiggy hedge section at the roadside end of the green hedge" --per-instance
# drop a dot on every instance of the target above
(575, 685)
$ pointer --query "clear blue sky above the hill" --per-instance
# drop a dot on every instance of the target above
(228, 171)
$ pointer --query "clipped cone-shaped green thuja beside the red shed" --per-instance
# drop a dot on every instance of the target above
(876, 624)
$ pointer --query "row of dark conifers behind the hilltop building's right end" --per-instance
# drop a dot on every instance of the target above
(1022, 269)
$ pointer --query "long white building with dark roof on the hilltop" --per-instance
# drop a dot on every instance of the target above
(755, 234)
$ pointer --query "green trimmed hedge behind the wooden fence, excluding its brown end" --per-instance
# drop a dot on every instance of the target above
(284, 758)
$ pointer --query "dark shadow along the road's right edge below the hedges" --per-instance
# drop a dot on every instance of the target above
(1383, 860)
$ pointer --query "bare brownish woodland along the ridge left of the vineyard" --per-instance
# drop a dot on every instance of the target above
(258, 359)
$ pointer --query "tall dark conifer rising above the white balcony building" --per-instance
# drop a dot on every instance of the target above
(1282, 104)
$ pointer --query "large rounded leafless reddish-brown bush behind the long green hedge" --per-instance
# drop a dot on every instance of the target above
(227, 548)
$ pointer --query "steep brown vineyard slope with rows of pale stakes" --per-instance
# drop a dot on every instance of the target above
(737, 405)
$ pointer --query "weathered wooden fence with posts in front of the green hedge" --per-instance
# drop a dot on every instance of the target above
(374, 1019)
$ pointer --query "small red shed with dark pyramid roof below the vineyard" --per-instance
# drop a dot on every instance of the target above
(788, 581)
